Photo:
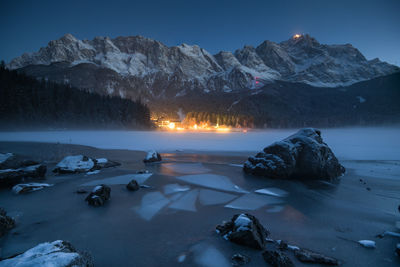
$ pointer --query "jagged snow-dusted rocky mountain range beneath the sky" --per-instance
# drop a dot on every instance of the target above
(135, 66)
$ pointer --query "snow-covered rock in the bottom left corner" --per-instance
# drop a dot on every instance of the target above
(58, 254)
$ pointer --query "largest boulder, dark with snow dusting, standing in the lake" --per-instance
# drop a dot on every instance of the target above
(303, 155)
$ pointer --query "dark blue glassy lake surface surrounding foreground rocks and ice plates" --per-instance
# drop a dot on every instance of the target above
(313, 215)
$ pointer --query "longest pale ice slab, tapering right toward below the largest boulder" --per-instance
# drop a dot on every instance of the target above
(212, 181)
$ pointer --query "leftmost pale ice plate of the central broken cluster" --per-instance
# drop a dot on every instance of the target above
(151, 204)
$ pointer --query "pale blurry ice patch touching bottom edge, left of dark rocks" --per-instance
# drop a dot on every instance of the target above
(208, 256)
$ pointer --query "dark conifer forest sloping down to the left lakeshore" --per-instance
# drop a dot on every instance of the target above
(26, 102)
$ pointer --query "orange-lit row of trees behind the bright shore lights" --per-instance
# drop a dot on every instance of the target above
(220, 119)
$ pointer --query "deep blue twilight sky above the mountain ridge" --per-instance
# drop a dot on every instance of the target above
(370, 25)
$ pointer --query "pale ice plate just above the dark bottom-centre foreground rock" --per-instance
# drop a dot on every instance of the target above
(252, 202)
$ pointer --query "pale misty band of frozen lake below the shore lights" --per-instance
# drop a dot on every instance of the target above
(347, 143)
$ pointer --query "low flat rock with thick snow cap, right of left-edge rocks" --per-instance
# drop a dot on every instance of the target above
(80, 163)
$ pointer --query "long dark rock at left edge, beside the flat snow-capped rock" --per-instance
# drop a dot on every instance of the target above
(10, 177)
